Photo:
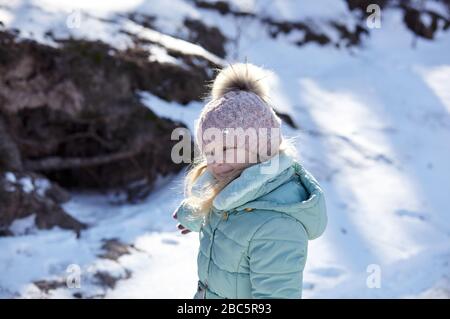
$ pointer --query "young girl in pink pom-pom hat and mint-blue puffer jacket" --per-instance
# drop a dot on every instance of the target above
(254, 217)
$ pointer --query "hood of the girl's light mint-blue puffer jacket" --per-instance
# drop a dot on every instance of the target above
(249, 190)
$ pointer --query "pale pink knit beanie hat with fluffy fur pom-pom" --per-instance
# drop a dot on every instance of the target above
(240, 110)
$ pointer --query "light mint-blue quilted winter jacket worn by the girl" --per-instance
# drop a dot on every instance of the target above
(254, 244)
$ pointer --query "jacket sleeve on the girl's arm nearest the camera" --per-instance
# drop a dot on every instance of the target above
(277, 256)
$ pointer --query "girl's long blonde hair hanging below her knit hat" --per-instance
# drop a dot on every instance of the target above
(201, 205)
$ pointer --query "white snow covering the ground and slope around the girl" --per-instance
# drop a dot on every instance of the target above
(375, 130)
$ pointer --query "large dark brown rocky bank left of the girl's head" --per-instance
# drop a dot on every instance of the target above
(72, 112)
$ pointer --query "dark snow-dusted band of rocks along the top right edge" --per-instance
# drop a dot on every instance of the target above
(349, 34)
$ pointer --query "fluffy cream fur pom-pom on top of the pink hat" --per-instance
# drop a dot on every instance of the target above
(240, 76)
